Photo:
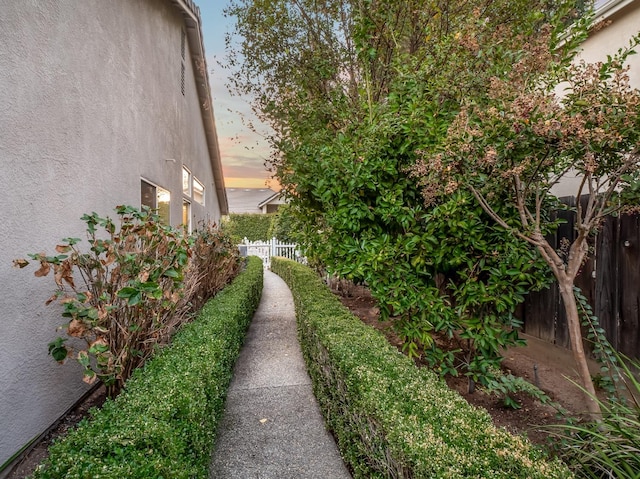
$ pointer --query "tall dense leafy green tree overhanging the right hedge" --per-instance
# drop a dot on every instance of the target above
(356, 92)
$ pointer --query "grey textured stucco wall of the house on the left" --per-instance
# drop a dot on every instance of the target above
(90, 101)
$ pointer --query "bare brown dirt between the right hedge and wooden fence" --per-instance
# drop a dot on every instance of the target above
(549, 366)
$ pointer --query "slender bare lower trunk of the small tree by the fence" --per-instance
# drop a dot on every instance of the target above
(575, 335)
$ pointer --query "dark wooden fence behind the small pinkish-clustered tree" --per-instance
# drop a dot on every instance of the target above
(610, 279)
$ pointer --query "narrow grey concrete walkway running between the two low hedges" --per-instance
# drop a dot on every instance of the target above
(272, 426)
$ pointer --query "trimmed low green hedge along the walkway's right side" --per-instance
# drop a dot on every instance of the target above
(390, 418)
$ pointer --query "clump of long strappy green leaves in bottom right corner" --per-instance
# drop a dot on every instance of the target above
(609, 447)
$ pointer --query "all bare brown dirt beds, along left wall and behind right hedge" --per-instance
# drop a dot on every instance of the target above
(554, 366)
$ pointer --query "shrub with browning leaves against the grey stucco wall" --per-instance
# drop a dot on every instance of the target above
(133, 288)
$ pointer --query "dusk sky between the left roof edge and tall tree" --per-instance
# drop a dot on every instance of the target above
(243, 152)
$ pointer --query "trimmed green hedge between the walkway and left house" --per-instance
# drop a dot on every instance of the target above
(163, 424)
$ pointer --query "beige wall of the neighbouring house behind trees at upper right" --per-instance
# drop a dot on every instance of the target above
(623, 18)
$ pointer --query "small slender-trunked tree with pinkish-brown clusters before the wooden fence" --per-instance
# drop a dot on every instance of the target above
(551, 117)
